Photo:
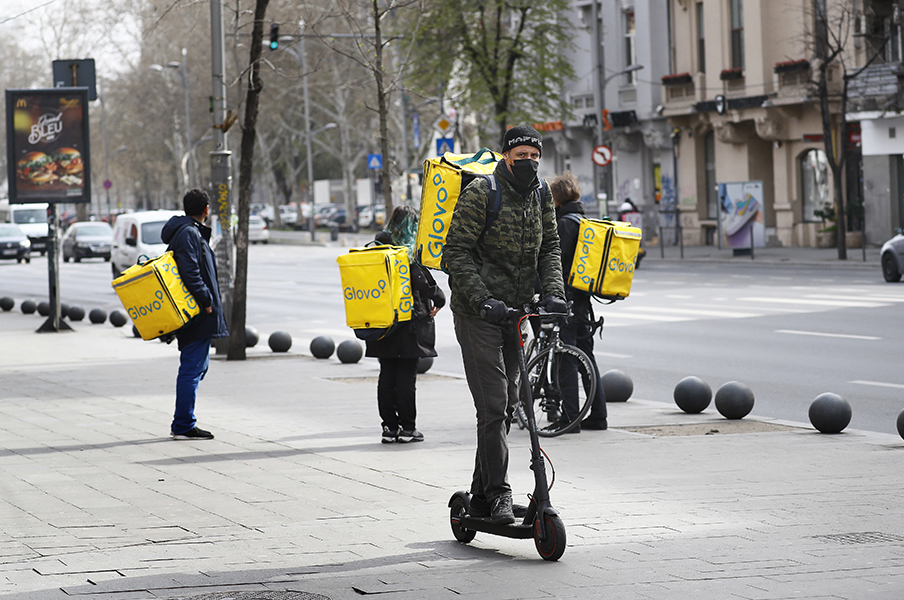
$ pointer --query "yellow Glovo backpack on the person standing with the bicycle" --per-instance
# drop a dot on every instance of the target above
(604, 258)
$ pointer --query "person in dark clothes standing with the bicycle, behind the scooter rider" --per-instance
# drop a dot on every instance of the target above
(579, 330)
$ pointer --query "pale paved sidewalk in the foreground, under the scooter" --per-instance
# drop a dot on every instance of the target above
(296, 493)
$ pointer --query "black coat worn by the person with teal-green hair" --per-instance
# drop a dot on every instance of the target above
(415, 338)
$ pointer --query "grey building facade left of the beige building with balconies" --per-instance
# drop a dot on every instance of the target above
(615, 100)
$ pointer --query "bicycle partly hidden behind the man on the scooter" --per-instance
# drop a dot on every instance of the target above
(562, 378)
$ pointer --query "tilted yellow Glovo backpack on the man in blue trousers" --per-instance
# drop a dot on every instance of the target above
(155, 298)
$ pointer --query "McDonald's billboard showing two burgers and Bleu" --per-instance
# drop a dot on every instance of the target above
(48, 154)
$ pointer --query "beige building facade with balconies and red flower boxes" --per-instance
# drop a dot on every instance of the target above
(742, 108)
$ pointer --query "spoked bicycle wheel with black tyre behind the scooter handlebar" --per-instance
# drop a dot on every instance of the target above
(562, 386)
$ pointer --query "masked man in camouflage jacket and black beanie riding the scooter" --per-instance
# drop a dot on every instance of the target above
(491, 269)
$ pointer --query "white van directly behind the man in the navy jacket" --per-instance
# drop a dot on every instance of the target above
(137, 235)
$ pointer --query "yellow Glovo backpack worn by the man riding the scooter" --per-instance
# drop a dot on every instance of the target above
(444, 178)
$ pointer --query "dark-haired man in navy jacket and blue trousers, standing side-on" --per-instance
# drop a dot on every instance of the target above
(188, 238)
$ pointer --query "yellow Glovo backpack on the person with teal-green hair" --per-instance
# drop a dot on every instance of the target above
(376, 285)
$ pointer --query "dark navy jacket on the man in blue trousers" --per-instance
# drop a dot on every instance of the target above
(188, 240)
